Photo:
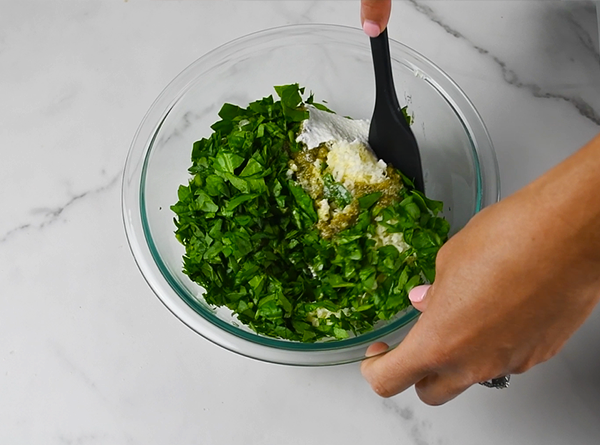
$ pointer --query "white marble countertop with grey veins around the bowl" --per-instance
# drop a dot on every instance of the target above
(88, 355)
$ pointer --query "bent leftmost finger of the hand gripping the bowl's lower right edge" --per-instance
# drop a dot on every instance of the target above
(395, 371)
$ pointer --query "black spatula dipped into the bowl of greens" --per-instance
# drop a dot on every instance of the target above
(390, 136)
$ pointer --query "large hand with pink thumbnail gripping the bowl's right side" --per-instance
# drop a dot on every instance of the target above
(510, 289)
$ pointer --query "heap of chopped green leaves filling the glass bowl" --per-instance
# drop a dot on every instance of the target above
(251, 238)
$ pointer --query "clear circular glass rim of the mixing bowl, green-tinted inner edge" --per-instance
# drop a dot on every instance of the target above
(210, 326)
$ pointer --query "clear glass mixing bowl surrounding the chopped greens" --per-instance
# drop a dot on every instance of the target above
(334, 62)
